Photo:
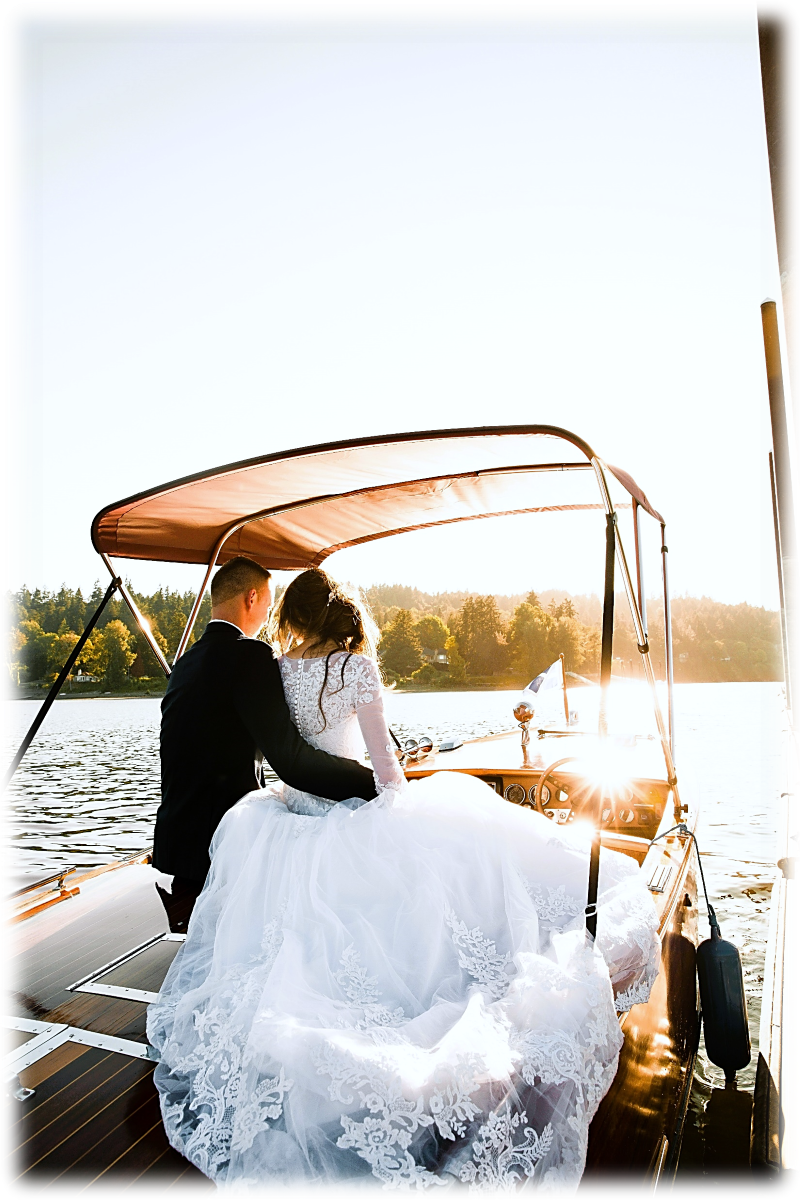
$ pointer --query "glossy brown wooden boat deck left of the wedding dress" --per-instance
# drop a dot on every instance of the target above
(94, 1126)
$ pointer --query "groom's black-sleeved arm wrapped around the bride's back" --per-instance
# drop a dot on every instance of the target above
(258, 699)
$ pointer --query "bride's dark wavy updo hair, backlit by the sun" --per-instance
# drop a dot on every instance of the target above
(320, 611)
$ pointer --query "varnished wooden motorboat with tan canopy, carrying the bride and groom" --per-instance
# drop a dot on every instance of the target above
(86, 955)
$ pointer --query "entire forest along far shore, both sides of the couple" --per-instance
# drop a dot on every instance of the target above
(444, 640)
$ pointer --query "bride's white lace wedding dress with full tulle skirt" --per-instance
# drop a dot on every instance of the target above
(395, 999)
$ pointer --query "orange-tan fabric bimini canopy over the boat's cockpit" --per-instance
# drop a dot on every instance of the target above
(293, 509)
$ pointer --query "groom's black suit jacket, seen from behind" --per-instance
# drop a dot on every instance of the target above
(224, 713)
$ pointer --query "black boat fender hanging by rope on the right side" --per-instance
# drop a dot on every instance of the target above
(724, 1006)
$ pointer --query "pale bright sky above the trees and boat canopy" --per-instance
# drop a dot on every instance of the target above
(234, 230)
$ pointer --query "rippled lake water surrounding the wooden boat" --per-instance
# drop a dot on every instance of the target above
(88, 791)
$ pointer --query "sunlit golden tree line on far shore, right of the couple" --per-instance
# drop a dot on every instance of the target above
(510, 640)
